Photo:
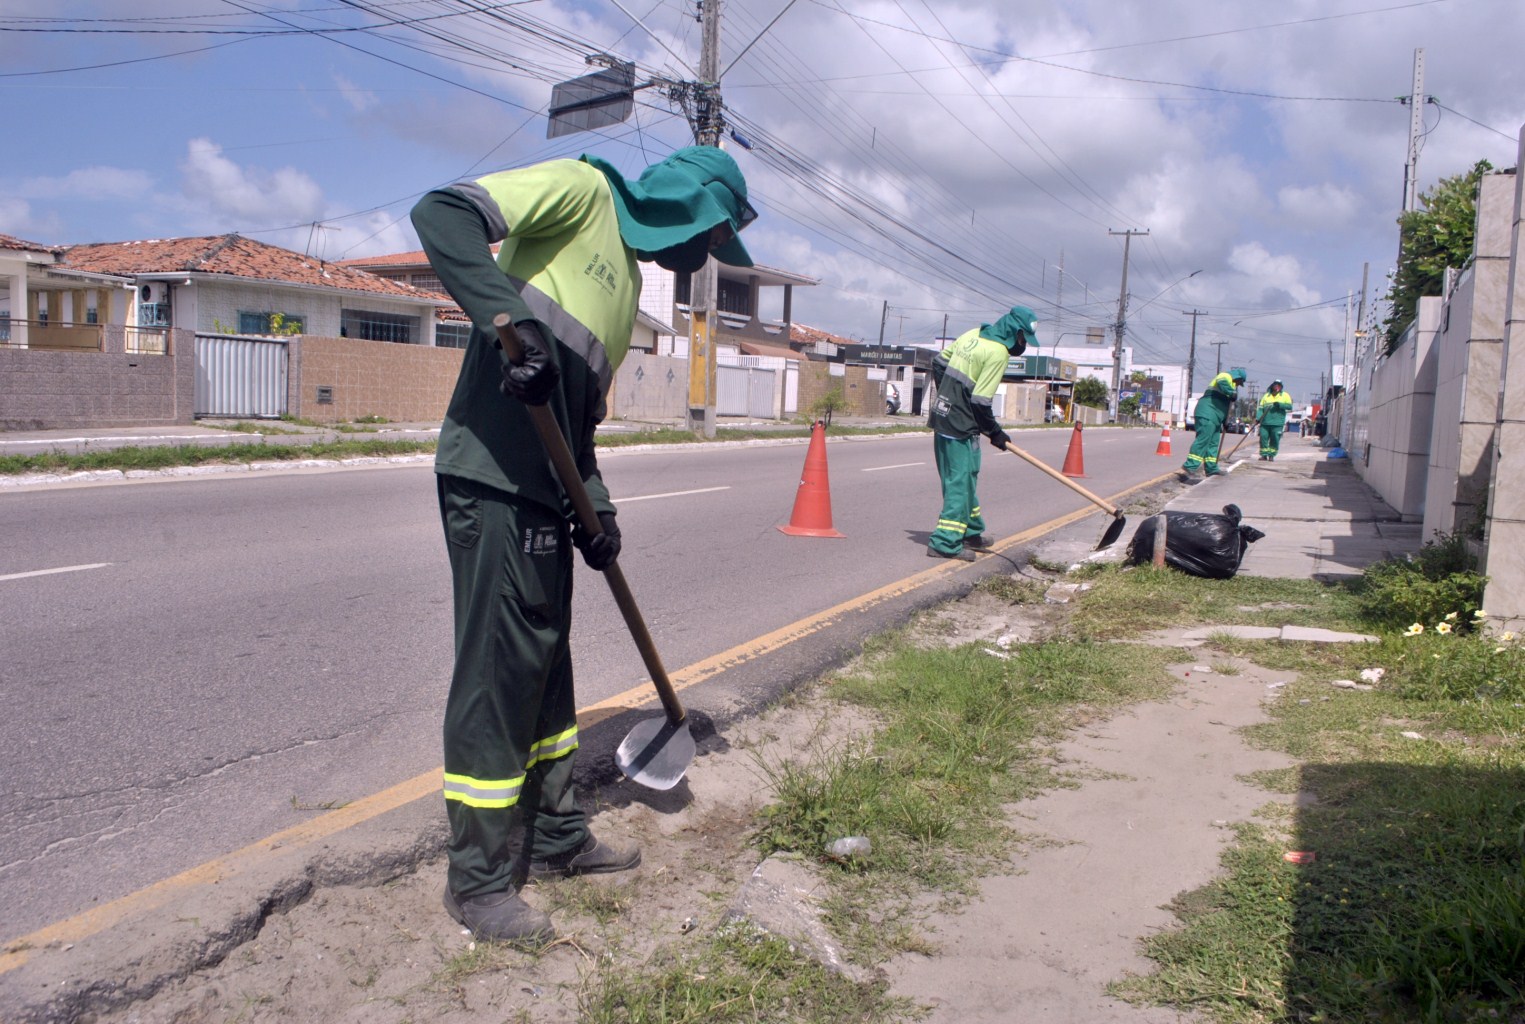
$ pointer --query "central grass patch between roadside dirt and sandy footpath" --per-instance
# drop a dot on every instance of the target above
(963, 736)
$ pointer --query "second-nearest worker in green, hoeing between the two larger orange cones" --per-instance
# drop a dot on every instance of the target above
(968, 375)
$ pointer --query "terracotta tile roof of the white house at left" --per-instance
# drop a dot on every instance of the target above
(236, 257)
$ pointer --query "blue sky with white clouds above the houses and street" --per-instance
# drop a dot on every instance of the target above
(945, 158)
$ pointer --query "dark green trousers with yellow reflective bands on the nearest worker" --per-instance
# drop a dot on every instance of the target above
(512, 715)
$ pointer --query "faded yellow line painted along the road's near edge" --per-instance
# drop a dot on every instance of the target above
(255, 855)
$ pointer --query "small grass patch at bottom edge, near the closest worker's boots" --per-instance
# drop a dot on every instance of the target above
(739, 976)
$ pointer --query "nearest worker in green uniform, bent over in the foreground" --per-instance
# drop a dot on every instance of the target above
(568, 275)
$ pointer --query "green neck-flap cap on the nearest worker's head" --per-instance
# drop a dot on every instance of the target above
(672, 202)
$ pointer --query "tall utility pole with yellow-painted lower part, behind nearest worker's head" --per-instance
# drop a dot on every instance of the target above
(708, 124)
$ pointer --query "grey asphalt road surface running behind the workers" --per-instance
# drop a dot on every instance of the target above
(193, 666)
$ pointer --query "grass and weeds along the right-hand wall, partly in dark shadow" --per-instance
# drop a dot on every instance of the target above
(1407, 900)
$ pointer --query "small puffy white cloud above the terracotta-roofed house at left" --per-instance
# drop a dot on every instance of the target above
(234, 196)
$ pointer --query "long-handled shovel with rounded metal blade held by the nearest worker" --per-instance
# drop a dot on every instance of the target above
(658, 752)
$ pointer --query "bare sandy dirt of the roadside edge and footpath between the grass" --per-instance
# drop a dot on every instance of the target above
(1157, 787)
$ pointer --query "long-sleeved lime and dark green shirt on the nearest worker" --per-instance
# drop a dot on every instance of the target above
(563, 265)
